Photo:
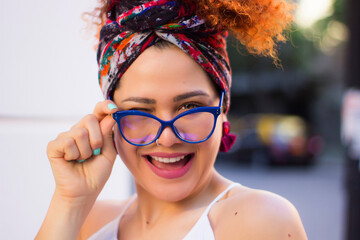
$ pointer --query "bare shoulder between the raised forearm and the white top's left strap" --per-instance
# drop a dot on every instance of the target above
(103, 212)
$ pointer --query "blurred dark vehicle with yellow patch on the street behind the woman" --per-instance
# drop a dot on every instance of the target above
(275, 139)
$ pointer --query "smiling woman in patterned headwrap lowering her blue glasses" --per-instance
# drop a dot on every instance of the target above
(164, 71)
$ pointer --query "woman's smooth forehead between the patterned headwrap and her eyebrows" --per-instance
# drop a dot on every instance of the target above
(167, 71)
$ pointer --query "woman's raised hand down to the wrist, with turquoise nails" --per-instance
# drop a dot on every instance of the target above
(82, 158)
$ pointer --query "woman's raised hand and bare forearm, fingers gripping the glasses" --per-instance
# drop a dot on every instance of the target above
(81, 160)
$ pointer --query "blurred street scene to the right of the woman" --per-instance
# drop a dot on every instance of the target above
(288, 119)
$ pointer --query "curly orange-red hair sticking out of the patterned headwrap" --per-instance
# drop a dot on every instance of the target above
(258, 24)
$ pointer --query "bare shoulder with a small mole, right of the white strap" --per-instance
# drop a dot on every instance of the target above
(256, 214)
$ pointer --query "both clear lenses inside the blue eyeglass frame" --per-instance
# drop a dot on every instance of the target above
(192, 127)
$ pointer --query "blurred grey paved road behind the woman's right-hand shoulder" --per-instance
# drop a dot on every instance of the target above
(317, 191)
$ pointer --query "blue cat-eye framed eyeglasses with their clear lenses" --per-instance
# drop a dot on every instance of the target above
(192, 126)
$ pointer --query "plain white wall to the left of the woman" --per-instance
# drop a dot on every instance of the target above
(48, 82)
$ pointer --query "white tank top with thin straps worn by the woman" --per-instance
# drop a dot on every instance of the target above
(200, 231)
